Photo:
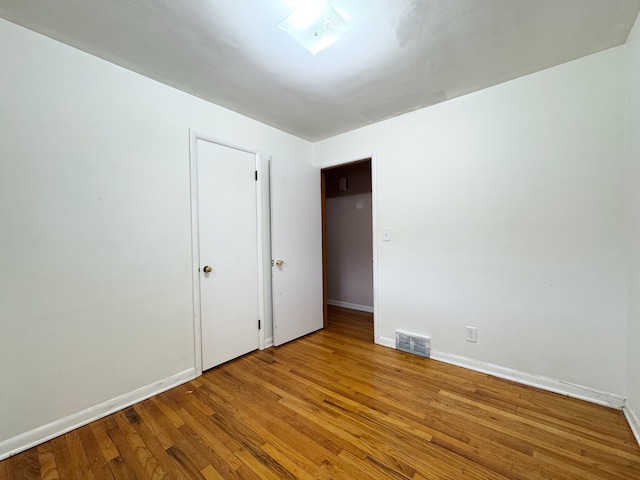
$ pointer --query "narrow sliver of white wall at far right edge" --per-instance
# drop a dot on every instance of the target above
(632, 53)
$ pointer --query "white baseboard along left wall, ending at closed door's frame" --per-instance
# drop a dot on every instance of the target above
(44, 433)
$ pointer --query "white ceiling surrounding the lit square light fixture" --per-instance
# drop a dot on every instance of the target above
(401, 55)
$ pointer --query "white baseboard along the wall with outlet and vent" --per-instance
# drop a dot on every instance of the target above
(545, 383)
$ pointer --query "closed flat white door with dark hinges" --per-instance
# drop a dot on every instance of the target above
(228, 245)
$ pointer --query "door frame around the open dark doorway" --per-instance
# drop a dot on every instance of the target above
(374, 229)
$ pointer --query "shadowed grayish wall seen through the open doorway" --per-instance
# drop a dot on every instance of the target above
(349, 250)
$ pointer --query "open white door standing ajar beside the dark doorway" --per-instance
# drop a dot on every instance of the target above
(296, 236)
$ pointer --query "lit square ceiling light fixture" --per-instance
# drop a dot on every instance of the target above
(315, 25)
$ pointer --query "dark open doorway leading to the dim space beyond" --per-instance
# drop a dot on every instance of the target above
(347, 241)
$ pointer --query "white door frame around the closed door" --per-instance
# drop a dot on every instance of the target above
(194, 136)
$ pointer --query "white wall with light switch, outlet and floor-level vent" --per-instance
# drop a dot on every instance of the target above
(507, 213)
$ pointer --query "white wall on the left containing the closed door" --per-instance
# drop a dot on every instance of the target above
(95, 242)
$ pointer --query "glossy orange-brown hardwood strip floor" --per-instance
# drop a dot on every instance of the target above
(333, 405)
